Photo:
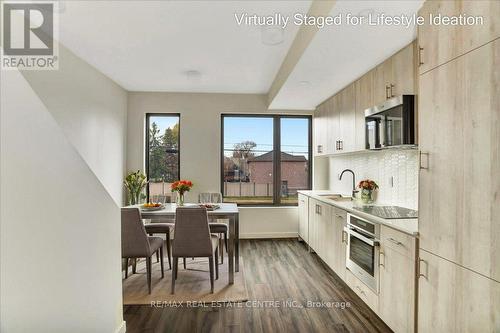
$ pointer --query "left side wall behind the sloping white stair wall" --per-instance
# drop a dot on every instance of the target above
(92, 111)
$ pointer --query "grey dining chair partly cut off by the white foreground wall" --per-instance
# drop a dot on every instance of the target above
(137, 244)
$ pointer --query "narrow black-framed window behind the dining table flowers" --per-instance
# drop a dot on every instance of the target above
(162, 153)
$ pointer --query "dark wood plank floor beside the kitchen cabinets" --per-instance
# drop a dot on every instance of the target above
(276, 270)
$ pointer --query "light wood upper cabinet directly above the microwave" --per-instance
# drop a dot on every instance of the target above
(395, 76)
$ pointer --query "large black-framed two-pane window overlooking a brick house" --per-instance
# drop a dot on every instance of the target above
(265, 159)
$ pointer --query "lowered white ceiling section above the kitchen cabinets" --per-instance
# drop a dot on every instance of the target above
(340, 54)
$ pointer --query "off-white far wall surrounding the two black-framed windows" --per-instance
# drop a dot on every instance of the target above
(200, 130)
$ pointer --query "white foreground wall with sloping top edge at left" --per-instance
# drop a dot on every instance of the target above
(60, 228)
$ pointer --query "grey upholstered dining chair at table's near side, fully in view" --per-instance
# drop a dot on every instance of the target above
(192, 239)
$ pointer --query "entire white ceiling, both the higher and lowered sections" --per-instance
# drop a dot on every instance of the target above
(150, 45)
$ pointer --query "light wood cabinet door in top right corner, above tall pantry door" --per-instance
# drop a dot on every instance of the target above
(439, 44)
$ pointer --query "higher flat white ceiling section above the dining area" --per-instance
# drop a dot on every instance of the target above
(150, 45)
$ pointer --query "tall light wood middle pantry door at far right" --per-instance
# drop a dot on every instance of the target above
(459, 205)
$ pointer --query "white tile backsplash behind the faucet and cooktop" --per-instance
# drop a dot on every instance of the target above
(395, 171)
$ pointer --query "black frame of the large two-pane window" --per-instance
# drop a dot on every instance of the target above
(276, 154)
